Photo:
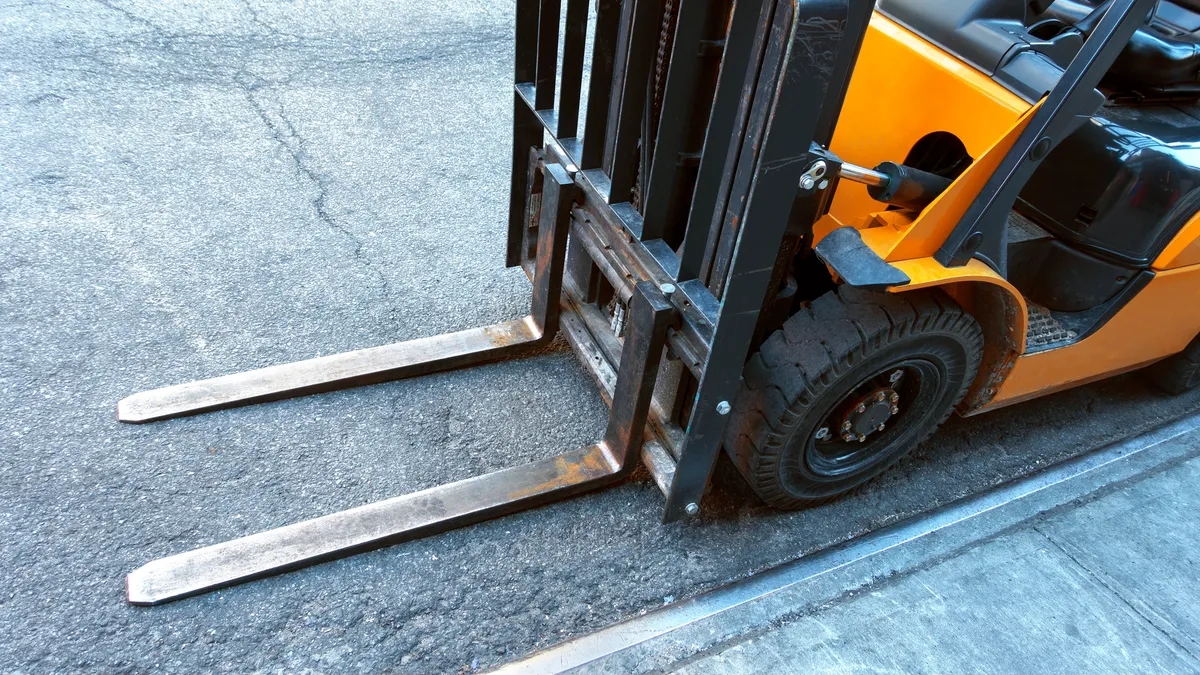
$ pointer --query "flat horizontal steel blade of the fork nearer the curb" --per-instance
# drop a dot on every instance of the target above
(371, 527)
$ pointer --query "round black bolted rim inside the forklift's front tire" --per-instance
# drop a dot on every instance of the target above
(830, 456)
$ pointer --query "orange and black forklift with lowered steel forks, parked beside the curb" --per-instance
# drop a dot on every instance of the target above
(703, 226)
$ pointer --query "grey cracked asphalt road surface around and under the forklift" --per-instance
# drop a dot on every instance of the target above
(193, 189)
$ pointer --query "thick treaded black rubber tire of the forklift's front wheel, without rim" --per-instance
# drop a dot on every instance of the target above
(821, 356)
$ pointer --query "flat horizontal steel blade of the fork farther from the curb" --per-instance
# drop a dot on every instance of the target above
(337, 372)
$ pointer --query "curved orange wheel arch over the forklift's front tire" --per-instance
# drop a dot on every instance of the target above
(997, 306)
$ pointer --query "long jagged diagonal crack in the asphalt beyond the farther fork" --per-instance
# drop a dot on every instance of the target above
(290, 139)
